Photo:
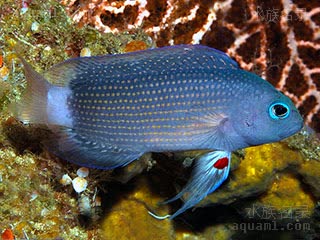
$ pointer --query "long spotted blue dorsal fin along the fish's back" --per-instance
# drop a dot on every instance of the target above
(178, 58)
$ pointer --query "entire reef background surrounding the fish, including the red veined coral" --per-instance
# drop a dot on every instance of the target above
(274, 179)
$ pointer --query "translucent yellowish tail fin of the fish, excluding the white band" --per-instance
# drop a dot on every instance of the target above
(32, 106)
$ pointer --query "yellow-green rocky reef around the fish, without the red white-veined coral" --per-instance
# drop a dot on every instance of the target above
(272, 192)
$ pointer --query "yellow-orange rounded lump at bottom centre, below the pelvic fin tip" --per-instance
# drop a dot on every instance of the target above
(123, 223)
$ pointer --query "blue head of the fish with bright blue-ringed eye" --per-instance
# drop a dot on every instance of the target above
(266, 116)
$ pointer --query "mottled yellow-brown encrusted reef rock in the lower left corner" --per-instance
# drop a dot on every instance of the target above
(28, 180)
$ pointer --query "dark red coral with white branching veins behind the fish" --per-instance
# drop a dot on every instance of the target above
(280, 39)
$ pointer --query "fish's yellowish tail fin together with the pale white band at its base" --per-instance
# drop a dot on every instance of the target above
(42, 102)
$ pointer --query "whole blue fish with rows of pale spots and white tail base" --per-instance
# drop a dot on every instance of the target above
(107, 111)
